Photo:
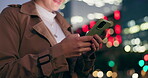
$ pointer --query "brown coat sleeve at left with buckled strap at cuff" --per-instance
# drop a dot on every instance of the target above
(29, 66)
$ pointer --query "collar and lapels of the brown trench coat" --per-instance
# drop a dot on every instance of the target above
(30, 9)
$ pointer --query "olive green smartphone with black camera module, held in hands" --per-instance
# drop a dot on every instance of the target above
(99, 27)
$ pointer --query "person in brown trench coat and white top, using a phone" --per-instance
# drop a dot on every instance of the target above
(36, 42)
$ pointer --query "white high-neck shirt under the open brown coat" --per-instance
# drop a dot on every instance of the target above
(49, 20)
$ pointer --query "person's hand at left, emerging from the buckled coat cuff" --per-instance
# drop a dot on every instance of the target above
(74, 45)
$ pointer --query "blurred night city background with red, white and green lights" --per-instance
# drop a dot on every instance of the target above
(124, 53)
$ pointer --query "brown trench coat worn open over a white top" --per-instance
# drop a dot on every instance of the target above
(25, 47)
